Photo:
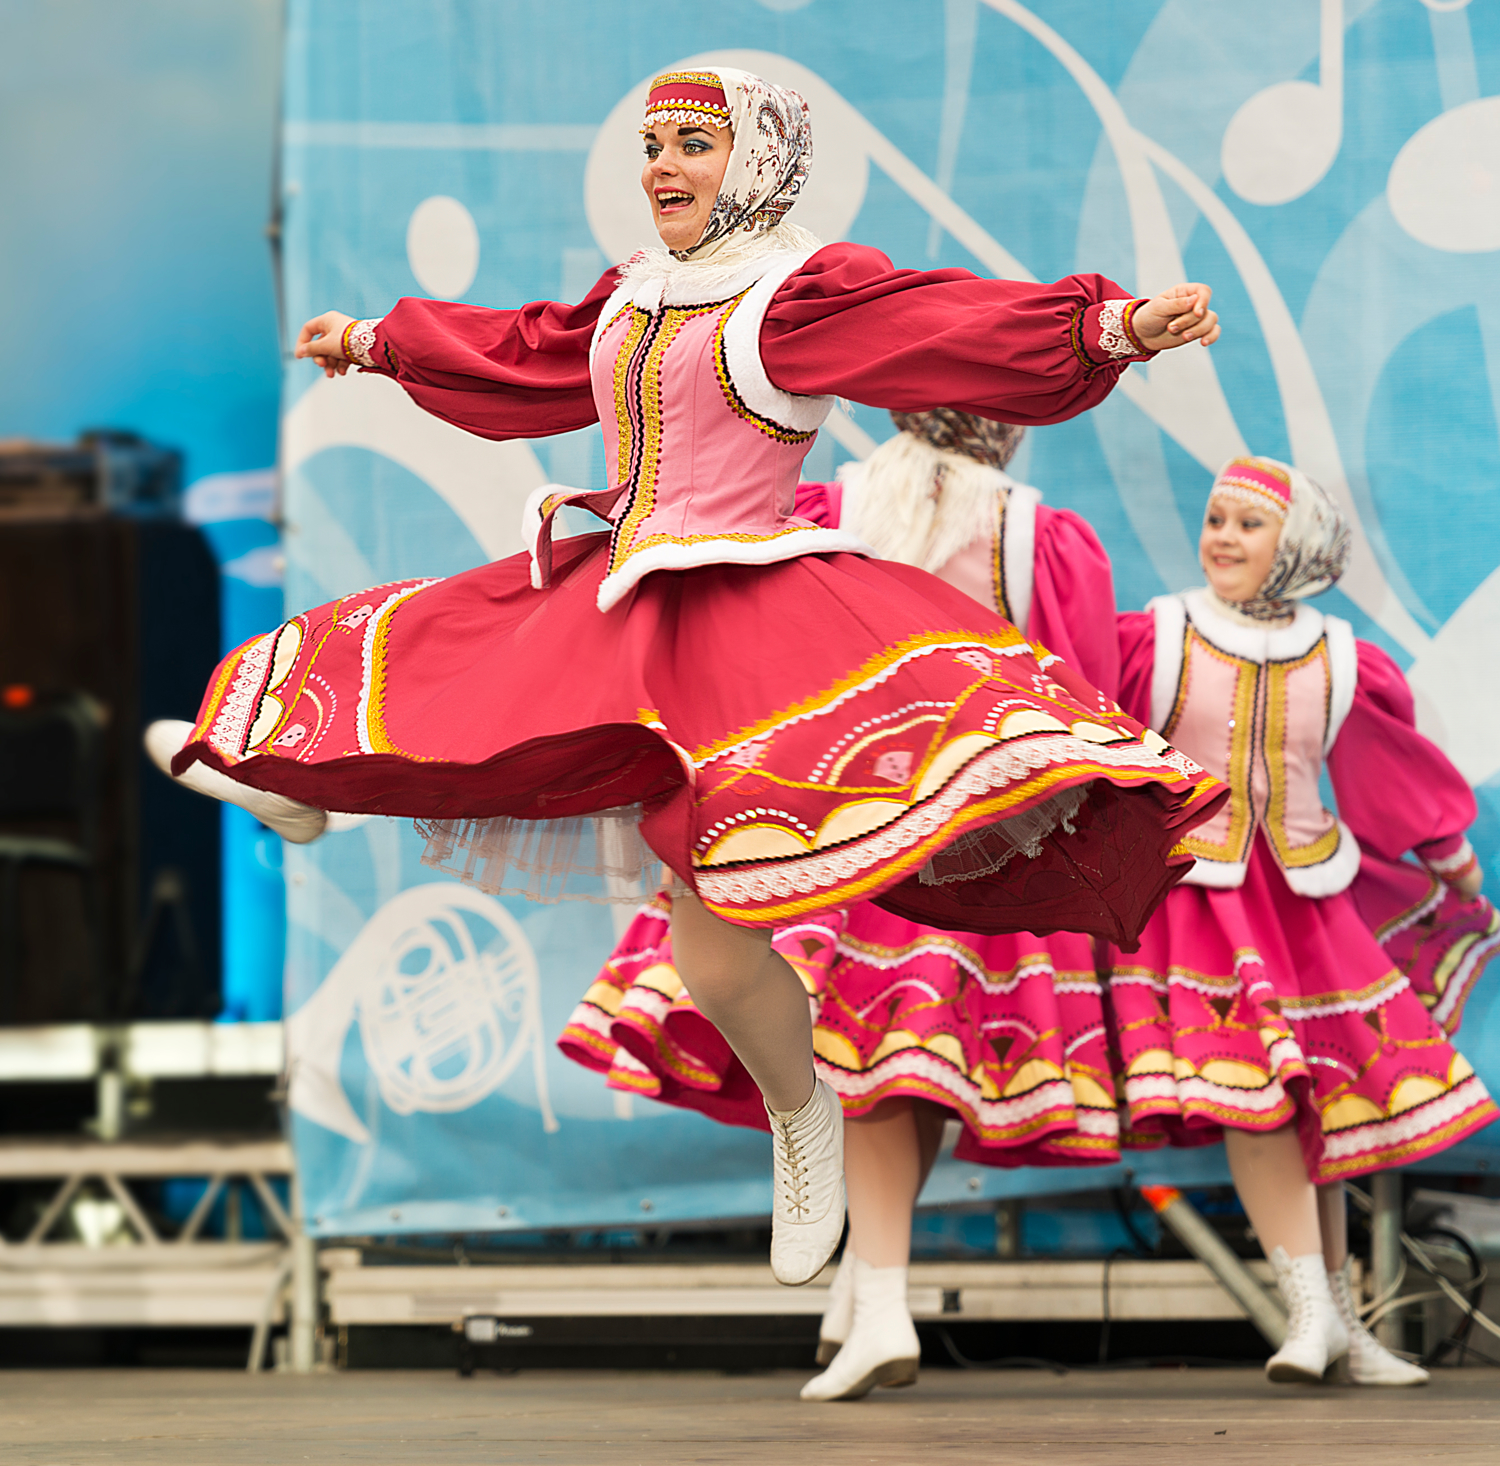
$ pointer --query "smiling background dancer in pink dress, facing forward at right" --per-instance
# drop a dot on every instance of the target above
(1261, 1006)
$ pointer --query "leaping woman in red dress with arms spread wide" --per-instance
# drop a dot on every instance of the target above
(797, 725)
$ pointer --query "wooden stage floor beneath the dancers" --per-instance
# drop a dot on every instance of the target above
(581, 1419)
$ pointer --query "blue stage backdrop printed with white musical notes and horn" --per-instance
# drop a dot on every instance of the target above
(1334, 170)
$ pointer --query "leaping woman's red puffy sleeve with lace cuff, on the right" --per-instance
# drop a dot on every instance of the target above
(851, 325)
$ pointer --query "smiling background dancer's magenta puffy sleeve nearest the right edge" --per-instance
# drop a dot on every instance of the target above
(1397, 790)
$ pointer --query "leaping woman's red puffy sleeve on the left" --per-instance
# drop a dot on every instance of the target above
(500, 374)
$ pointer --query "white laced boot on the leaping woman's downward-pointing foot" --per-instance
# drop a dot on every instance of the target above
(806, 1186)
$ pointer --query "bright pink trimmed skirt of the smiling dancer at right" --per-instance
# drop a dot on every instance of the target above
(1256, 1008)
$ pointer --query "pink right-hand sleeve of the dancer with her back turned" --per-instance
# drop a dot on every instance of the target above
(1073, 598)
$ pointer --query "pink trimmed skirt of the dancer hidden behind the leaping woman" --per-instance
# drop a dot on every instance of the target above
(1004, 1032)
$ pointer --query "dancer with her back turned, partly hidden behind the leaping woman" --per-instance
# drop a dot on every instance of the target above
(913, 1024)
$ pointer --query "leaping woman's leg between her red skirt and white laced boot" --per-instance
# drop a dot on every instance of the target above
(752, 996)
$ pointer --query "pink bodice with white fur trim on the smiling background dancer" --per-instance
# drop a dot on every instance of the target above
(1259, 709)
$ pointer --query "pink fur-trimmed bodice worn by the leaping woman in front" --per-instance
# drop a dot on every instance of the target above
(703, 451)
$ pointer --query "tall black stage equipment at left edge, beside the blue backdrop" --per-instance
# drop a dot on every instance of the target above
(110, 903)
